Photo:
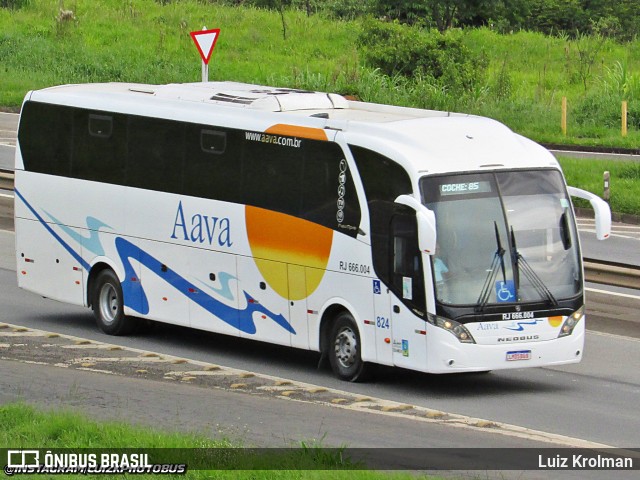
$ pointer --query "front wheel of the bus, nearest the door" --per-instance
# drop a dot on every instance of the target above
(343, 350)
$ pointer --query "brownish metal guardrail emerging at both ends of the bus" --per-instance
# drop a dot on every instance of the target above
(596, 271)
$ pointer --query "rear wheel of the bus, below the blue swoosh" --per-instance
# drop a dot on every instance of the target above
(108, 305)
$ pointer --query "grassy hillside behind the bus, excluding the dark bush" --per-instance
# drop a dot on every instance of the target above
(145, 41)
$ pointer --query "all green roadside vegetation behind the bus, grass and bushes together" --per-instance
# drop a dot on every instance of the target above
(512, 60)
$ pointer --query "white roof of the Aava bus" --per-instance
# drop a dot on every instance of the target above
(422, 140)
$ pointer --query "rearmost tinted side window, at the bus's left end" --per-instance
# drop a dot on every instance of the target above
(45, 138)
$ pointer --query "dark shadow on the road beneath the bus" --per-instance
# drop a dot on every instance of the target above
(301, 365)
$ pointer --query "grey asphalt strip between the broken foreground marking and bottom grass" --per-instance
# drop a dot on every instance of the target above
(256, 421)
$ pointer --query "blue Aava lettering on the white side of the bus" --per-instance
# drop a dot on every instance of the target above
(202, 228)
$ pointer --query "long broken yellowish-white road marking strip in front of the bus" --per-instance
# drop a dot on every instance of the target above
(300, 391)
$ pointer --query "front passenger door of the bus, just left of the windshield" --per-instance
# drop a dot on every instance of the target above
(408, 307)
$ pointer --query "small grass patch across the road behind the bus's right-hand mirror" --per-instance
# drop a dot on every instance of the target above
(624, 181)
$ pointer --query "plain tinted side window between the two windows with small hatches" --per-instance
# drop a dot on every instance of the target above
(155, 154)
